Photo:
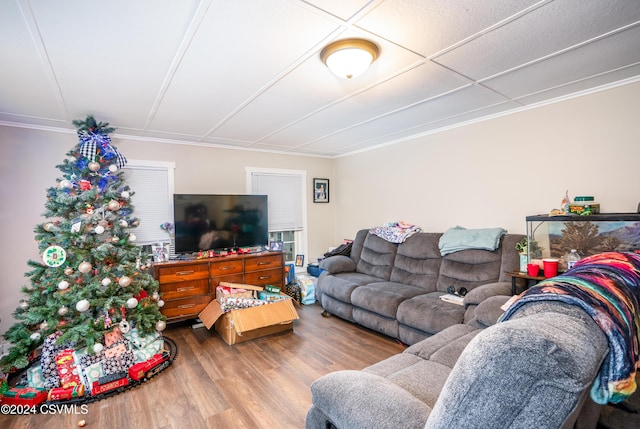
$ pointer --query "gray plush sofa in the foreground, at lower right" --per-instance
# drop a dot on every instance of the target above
(532, 371)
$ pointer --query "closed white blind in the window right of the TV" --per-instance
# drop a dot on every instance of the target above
(284, 199)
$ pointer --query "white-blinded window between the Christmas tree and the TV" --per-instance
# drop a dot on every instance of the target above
(152, 183)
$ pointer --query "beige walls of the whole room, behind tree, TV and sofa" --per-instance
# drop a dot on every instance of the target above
(492, 173)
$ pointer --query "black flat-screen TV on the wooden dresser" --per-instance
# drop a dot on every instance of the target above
(206, 222)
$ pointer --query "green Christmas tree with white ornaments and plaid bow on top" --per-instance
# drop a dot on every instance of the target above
(91, 278)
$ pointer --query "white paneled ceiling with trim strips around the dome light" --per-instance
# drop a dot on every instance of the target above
(248, 74)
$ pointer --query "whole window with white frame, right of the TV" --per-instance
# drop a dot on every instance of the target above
(286, 193)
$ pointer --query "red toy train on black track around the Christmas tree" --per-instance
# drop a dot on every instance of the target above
(102, 388)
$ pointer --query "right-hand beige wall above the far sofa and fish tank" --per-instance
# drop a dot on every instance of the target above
(495, 173)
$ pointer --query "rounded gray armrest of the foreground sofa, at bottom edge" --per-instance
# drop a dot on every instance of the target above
(356, 399)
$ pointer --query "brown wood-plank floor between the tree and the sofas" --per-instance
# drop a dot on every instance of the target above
(263, 383)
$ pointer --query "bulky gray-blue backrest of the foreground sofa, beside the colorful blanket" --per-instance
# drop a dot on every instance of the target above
(527, 372)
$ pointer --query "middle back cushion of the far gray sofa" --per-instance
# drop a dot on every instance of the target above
(417, 261)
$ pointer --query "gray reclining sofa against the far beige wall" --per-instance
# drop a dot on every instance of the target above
(395, 289)
